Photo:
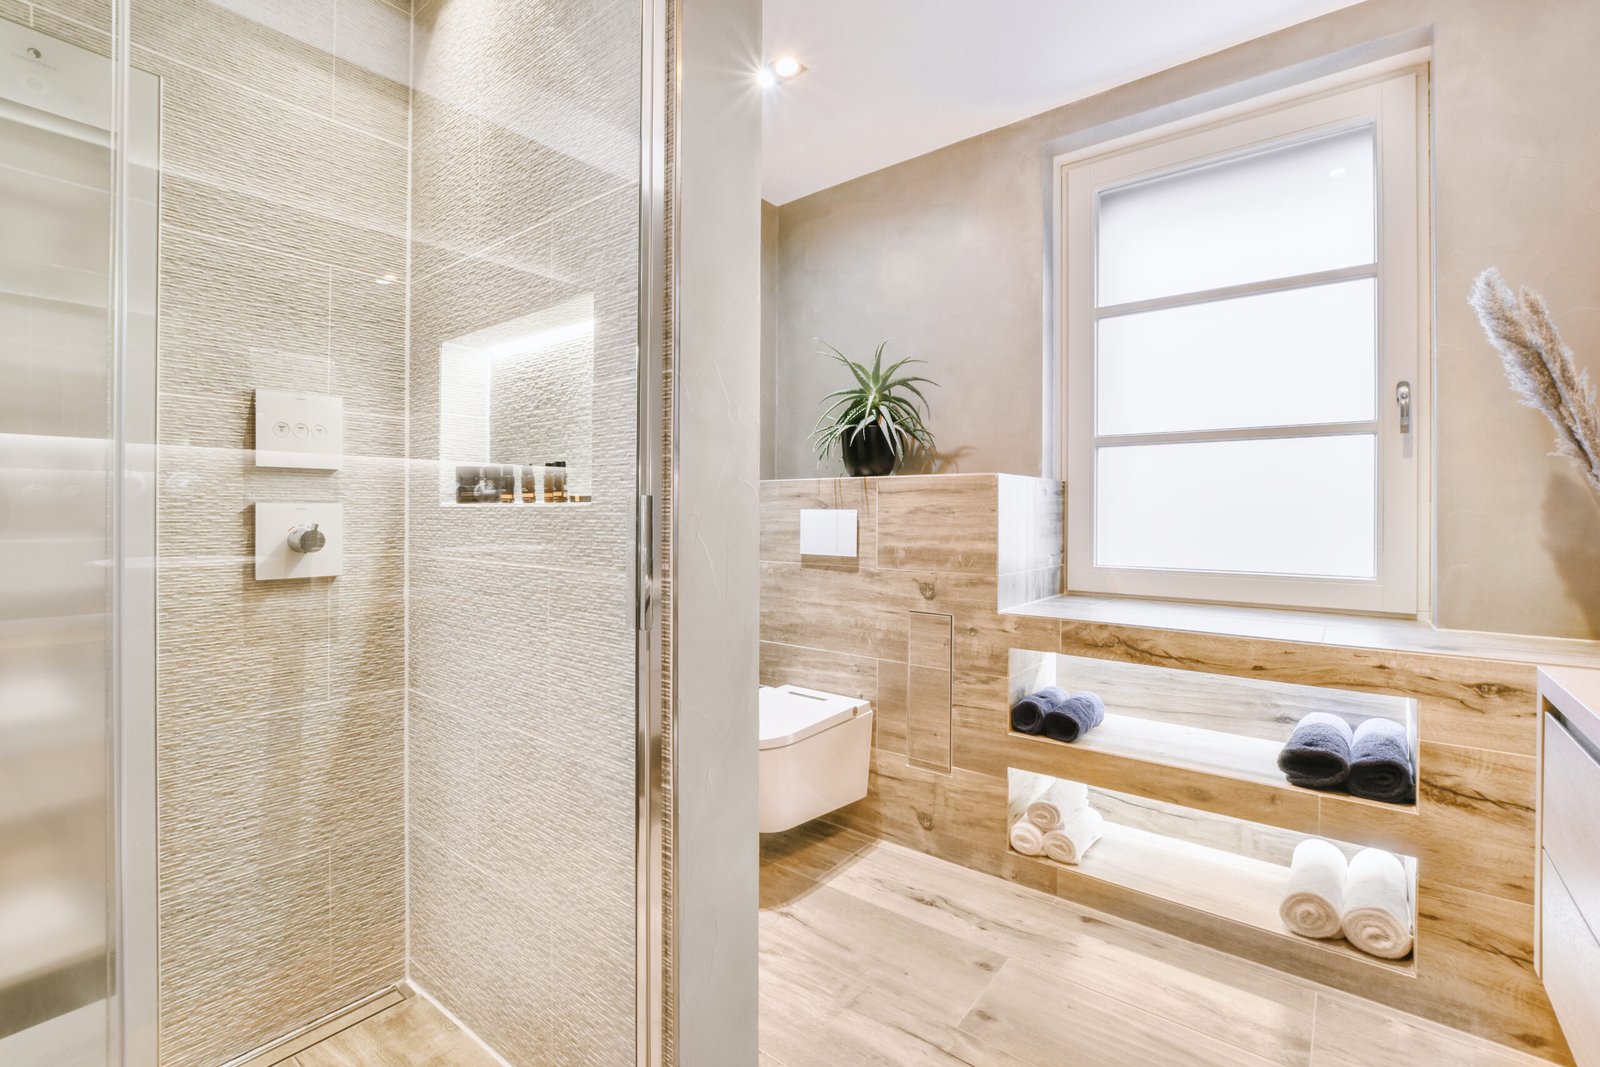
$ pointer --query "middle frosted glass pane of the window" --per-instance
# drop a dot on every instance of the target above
(1274, 359)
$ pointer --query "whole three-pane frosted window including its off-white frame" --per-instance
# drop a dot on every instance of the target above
(1246, 375)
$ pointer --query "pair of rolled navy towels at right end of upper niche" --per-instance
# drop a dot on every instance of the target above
(1372, 761)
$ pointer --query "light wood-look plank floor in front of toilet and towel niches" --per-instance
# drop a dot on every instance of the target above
(876, 954)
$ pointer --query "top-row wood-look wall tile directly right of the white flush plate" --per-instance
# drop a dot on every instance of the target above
(938, 524)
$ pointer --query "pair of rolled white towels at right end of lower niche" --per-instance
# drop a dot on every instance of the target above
(1367, 900)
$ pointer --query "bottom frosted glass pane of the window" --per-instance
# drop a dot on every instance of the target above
(1289, 506)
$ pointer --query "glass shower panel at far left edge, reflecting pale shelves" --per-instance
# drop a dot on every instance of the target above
(55, 545)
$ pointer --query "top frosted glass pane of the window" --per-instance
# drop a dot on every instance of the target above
(1284, 212)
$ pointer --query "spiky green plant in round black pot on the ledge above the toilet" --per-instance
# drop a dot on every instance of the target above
(876, 422)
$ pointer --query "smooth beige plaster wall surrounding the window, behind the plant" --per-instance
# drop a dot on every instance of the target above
(945, 257)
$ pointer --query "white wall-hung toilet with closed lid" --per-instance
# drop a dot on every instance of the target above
(817, 749)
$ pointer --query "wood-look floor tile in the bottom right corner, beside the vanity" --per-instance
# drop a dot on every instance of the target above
(1351, 1034)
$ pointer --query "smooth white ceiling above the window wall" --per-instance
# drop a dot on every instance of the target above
(889, 81)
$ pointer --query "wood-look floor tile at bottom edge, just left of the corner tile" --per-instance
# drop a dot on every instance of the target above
(1033, 1015)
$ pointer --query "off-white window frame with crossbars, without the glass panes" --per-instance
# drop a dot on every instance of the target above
(1396, 106)
